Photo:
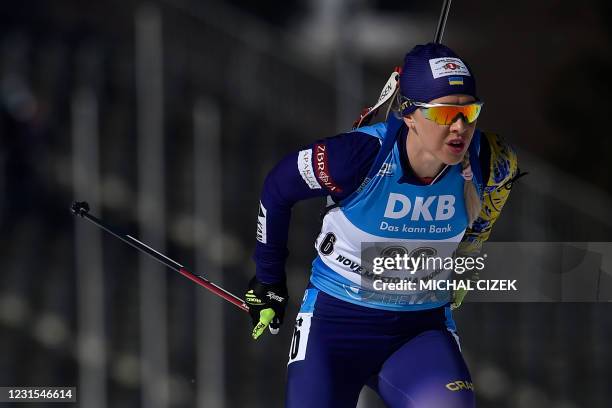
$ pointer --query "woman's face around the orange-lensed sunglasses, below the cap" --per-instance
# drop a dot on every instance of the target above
(446, 143)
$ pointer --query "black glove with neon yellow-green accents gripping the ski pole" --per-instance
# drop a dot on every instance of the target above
(267, 304)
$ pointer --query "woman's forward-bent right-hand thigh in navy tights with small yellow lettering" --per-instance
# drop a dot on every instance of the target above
(428, 371)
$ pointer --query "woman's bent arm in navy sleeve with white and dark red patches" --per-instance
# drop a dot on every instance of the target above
(335, 166)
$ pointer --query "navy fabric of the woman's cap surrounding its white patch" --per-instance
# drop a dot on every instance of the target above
(417, 82)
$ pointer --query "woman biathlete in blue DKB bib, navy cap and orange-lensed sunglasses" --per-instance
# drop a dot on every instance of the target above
(424, 176)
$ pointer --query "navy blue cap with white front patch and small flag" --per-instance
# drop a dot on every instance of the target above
(431, 71)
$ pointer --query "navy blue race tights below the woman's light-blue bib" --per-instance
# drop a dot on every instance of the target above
(409, 358)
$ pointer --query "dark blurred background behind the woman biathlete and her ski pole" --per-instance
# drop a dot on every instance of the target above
(166, 116)
